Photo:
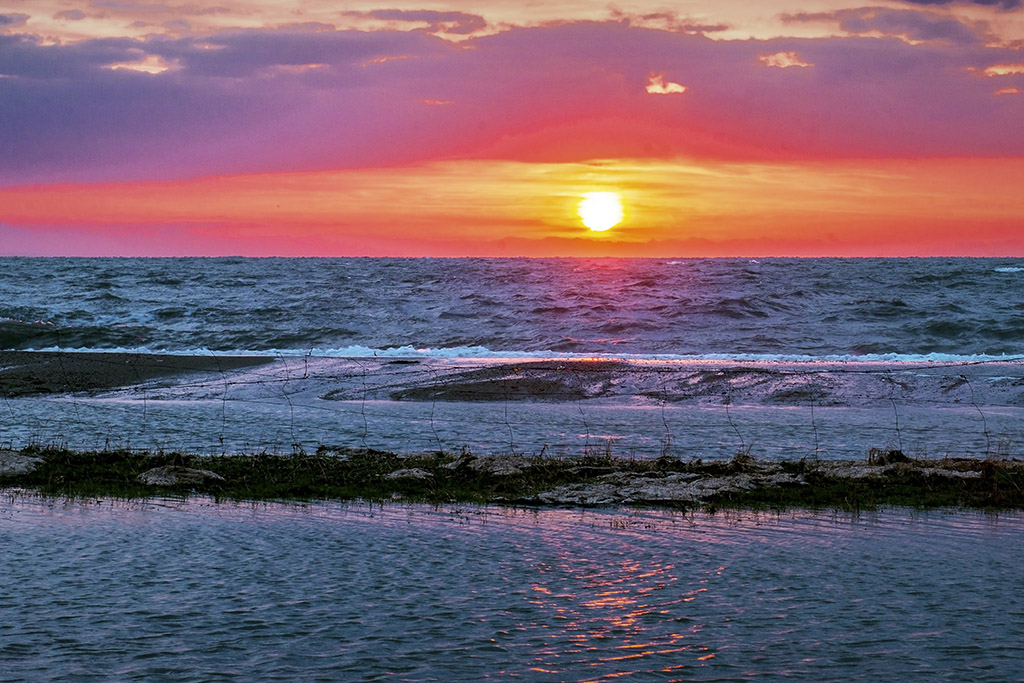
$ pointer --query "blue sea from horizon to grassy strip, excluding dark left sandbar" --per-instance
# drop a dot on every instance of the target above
(784, 359)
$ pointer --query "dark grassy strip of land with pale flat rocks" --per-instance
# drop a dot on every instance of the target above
(887, 479)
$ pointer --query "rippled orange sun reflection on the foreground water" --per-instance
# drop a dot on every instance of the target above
(622, 611)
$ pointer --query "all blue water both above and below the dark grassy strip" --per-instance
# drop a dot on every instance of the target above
(780, 359)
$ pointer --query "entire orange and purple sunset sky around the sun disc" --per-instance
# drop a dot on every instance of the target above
(454, 129)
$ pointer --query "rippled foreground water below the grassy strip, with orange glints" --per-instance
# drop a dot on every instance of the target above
(196, 591)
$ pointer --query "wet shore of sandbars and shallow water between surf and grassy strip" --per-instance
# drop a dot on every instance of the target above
(214, 405)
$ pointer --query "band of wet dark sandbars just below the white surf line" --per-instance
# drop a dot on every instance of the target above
(825, 382)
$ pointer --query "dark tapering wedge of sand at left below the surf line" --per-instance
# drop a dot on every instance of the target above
(41, 373)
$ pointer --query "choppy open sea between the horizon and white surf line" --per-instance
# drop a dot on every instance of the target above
(825, 309)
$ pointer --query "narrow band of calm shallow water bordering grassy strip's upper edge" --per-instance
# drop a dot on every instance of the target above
(708, 433)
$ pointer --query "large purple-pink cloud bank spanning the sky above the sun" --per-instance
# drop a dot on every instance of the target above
(273, 100)
